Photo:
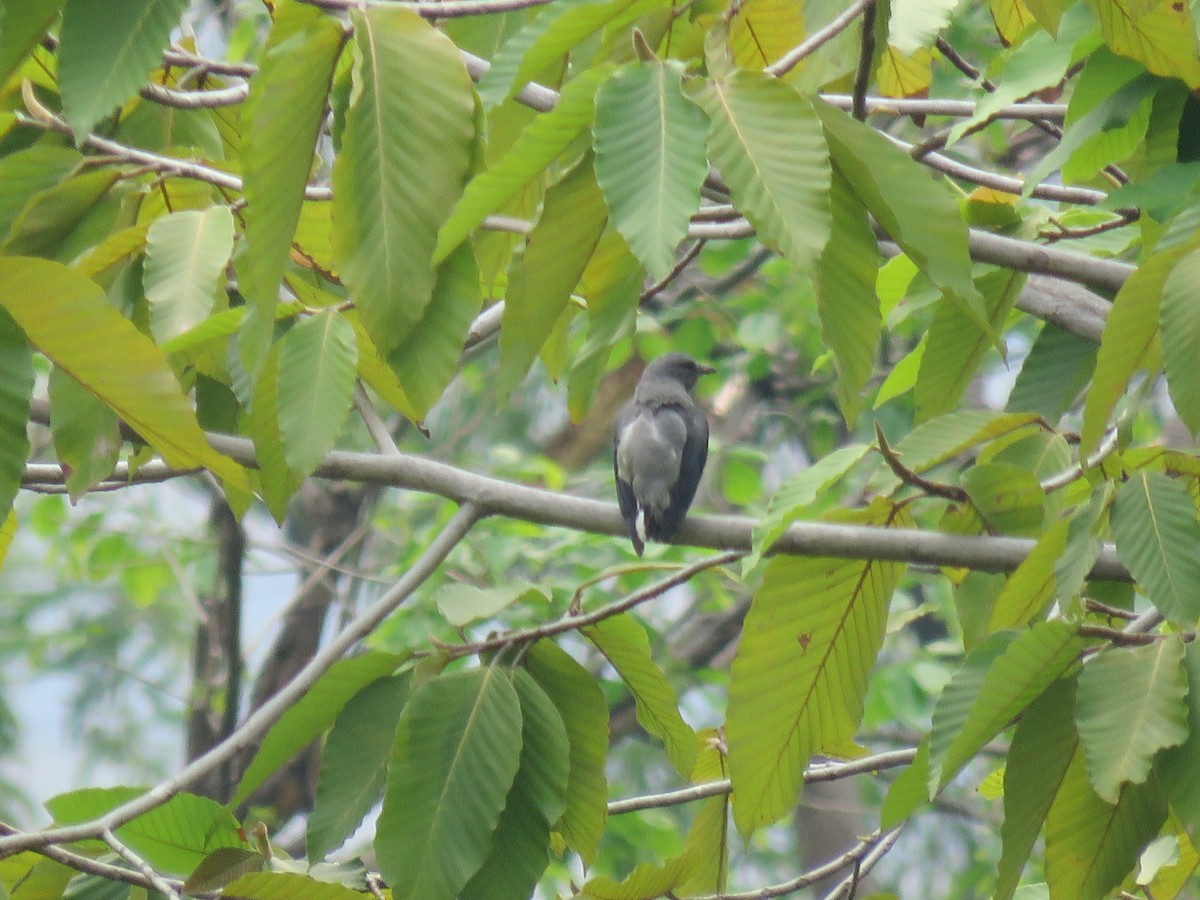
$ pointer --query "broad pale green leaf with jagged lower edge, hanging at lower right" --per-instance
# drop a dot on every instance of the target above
(1131, 706)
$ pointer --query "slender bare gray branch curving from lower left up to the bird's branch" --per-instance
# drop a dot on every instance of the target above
(263, 718)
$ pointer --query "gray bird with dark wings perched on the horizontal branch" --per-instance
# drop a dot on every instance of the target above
(661, 446)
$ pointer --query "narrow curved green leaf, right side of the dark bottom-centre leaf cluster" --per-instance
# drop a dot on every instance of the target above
(585, 713)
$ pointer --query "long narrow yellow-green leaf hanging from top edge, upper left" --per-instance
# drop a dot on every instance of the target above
(283, 118)
